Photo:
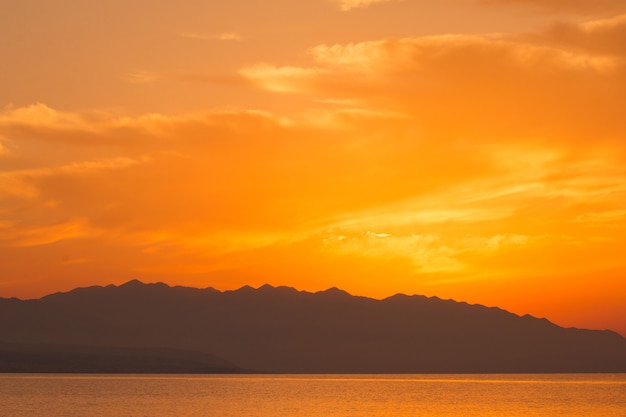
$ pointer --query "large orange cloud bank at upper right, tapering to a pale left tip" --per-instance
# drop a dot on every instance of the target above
(464, 84)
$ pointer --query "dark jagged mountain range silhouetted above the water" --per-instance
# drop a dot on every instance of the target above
(281, 329)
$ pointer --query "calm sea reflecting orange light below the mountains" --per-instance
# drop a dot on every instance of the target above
(527, 395)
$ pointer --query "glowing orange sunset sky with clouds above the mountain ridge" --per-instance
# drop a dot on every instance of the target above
(472, 150)
